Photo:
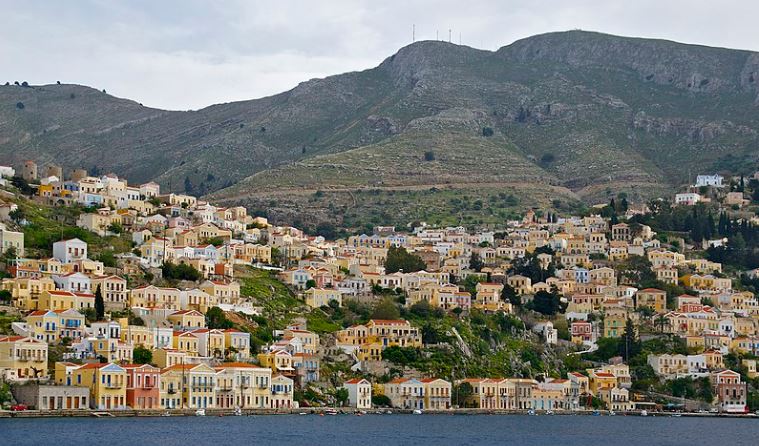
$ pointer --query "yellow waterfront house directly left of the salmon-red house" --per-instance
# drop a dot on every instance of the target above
(107, 384)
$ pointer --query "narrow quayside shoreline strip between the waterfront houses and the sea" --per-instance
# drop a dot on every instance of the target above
(322, 411)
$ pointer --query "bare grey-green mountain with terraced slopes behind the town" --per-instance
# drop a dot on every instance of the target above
(438, 131)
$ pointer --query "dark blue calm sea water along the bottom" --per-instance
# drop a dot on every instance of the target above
(384, 430)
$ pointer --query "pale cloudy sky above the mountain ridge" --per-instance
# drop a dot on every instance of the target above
(188, 54)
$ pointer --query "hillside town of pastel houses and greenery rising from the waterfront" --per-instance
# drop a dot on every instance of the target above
(165, 302)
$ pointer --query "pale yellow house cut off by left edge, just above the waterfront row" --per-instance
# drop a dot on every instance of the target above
(22, 358)
